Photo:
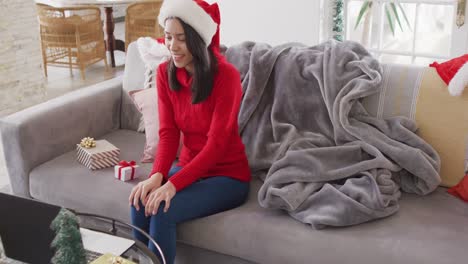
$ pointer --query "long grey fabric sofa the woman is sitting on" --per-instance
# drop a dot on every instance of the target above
(39, 145)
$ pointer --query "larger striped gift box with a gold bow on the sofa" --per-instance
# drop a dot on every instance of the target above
(104, 155)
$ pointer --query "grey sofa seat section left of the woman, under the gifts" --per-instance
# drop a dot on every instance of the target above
(64, 181)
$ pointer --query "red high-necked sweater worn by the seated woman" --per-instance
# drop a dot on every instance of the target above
(211, 142)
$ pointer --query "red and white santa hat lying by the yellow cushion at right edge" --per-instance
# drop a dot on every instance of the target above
(454, 73)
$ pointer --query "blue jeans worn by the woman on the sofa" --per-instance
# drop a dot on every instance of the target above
(202, 198)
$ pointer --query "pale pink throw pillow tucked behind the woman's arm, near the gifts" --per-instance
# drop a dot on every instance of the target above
(147, 103)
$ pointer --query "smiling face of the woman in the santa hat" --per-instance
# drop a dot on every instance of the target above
(175, 42)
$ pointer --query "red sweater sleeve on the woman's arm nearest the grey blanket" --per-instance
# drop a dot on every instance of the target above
(227, 92)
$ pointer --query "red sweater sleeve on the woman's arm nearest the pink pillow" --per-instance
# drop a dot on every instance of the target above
(169, 133)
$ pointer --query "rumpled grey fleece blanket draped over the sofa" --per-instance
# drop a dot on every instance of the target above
(322, 157)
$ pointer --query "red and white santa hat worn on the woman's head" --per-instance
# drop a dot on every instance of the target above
(203, 17)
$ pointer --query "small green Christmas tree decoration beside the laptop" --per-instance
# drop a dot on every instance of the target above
(67, 242)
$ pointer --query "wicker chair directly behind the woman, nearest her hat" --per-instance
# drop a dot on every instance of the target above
(141, 20)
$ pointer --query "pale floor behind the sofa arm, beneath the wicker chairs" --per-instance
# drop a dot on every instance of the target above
(60, 81)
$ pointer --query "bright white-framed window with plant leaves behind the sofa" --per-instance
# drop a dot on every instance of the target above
(428, 33)
